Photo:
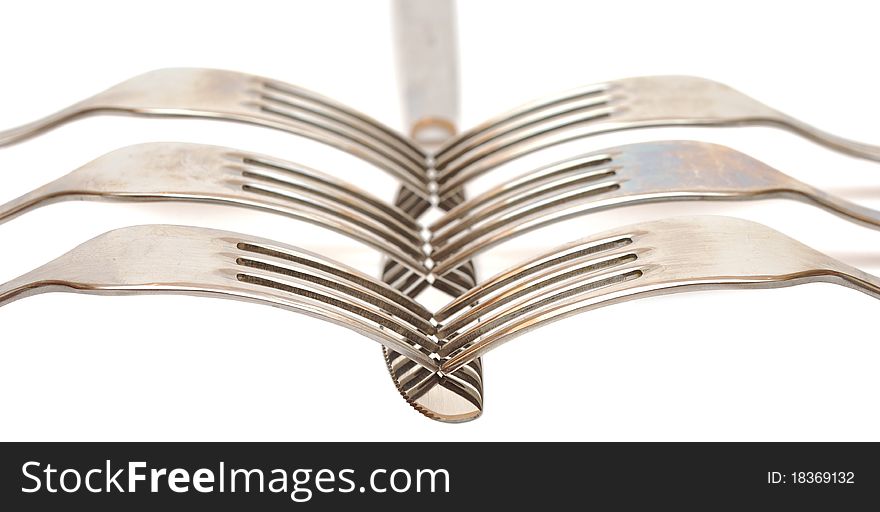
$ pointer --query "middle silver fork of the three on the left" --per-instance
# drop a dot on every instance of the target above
(193, 172)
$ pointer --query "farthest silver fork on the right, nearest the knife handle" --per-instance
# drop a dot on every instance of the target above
(618, 105)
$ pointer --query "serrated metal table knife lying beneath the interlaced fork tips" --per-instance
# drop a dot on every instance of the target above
(428, 75)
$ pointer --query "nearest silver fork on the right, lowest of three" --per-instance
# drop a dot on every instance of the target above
(643, 260)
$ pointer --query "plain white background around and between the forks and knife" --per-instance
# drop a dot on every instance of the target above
(791, 364)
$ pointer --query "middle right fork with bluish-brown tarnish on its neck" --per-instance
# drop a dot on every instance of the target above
(627, 175)
